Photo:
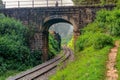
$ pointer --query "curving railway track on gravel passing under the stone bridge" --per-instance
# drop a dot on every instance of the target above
(39, 72)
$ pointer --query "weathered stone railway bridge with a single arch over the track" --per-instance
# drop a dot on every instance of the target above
(43, 17)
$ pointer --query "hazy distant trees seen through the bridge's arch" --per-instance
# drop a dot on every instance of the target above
(65, 30)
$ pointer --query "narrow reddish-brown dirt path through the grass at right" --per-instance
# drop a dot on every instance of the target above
(111, 70)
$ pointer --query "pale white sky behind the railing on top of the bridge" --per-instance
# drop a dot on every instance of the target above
(37, 3)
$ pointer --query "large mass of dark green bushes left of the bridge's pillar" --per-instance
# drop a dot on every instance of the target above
(13, 47)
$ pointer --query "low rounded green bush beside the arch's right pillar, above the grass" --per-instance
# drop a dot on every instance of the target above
(97, 40)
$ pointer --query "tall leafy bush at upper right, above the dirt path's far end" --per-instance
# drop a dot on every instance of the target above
(109, 20)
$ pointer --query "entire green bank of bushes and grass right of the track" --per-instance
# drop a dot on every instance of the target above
(92, 48)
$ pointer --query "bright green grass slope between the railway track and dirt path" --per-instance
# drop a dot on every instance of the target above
(90, 64)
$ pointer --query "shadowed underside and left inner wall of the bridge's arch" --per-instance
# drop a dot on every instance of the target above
(45, 29)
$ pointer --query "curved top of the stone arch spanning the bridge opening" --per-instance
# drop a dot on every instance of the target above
(56, 19)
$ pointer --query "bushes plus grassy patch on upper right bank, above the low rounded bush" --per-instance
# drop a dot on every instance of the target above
(106, 22)
